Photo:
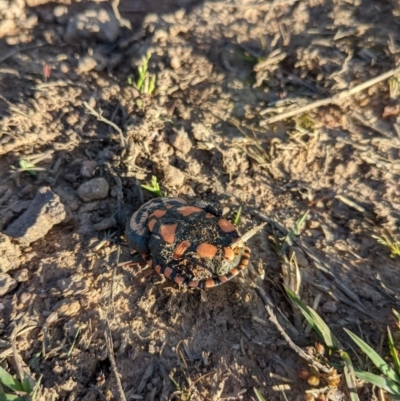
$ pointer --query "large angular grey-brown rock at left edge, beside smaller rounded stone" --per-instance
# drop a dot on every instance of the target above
(43, 213)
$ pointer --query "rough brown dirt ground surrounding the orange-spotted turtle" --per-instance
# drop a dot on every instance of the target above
(223, 69)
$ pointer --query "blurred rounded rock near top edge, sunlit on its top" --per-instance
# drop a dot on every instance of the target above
(93, 24)
